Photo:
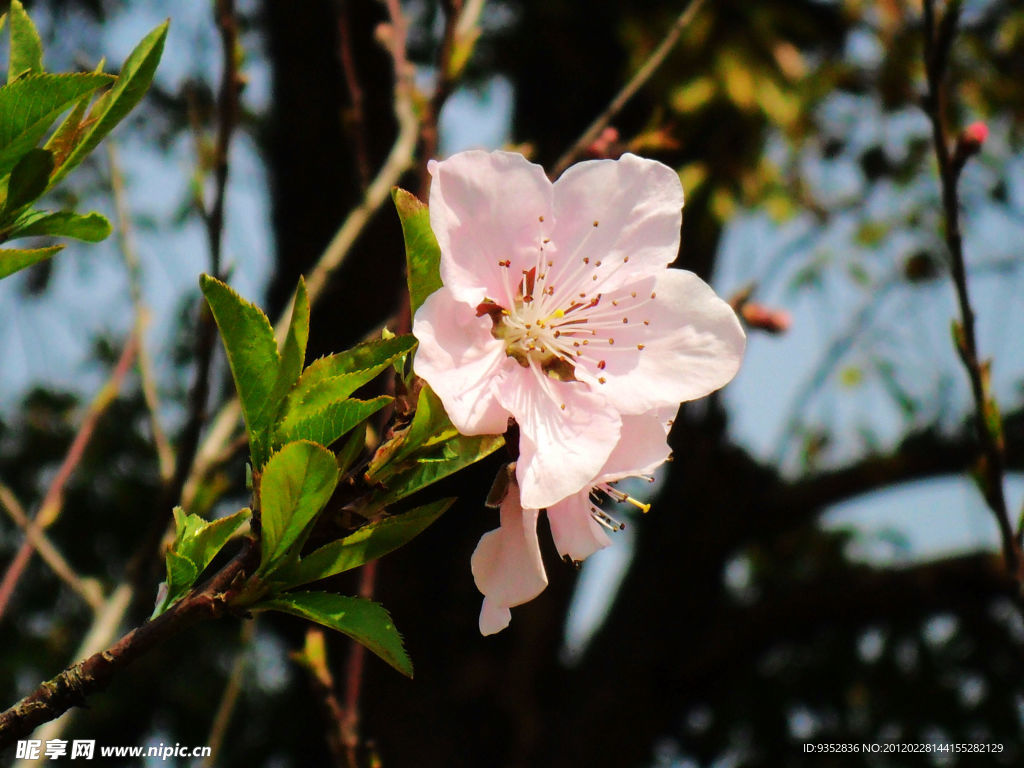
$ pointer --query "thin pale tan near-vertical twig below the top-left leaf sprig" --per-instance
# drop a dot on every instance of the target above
(126, 240)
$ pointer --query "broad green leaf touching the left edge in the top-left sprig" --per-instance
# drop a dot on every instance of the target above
(29, 107)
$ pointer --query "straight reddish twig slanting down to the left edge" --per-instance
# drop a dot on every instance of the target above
(53, 503)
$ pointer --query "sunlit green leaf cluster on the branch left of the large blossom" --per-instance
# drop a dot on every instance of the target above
(308, 436)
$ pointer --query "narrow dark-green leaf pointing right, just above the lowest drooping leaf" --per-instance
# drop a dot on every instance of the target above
(369, 543)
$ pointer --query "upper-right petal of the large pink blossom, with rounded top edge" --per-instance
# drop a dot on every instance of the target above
(637, 205)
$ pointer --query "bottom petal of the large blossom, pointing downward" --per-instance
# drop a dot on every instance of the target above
(567, 434)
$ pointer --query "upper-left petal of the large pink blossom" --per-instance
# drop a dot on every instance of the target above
(488, 208)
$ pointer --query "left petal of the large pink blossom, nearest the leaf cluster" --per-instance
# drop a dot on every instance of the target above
(460, 360)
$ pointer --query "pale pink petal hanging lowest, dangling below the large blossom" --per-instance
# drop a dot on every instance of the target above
(507, 566)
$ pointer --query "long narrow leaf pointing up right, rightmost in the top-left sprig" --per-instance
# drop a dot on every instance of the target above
(132, 86)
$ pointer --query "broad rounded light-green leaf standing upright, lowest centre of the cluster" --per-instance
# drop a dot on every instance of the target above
(296, 484)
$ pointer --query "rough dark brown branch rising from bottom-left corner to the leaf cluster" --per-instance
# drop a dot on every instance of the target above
(72, 687)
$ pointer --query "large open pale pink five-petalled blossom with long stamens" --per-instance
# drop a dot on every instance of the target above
(558, 310)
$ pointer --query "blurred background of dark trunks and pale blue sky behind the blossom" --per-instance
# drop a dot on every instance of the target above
(818, 567)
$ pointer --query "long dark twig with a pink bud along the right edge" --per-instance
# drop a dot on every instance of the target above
(938, 42)
